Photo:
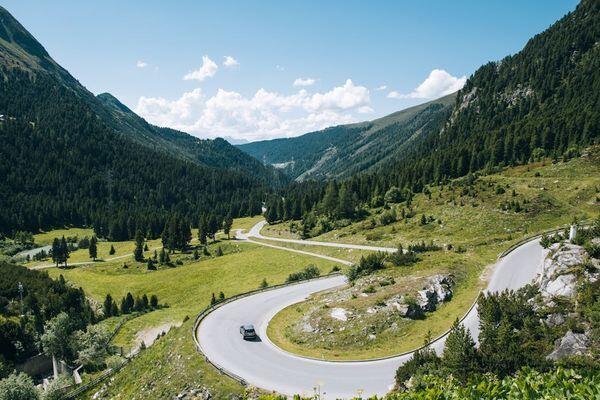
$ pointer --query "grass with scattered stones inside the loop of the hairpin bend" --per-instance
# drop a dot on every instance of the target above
(348, 344)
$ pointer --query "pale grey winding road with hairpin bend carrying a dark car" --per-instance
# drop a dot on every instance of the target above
(264, 365)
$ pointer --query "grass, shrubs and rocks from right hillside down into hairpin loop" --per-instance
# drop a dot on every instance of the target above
(455, 229)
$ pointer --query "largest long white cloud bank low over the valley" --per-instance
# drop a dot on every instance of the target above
(263, 115)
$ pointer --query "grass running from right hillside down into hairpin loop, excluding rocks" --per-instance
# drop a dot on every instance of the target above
(466, 215)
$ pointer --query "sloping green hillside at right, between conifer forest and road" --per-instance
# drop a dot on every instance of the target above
(561, 192)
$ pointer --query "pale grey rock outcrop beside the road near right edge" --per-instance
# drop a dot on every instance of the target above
(559, 272)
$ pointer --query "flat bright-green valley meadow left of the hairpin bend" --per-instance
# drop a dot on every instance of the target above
(188, 288)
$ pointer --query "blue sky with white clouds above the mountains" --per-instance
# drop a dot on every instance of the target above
(254, 70)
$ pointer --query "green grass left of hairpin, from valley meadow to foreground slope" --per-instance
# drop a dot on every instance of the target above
(172, 363)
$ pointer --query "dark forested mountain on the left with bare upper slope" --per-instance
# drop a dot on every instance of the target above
(68, 157)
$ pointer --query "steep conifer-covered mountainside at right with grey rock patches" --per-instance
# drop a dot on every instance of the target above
(542, 101)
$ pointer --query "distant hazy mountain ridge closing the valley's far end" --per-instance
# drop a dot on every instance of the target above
(345, 150)
